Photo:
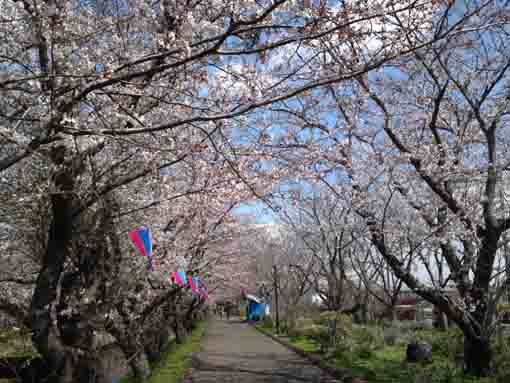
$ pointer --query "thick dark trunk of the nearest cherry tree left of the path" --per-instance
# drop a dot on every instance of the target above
(50, 332)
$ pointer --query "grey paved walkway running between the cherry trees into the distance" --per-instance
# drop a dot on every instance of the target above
(234, 352)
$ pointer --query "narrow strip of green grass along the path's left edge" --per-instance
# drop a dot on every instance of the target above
(174, 363)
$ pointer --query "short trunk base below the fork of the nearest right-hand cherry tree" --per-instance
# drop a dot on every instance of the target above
(477, 355)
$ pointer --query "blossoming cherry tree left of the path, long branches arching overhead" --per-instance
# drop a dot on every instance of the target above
(116, 113)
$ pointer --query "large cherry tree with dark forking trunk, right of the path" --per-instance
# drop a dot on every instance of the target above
(447, 159)
